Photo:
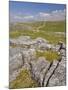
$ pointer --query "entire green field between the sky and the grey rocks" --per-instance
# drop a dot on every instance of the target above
(51, 31)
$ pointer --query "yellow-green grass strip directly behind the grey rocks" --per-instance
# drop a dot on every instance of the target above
(51, 37)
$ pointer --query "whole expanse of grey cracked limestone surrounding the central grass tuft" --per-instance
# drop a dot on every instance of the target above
(44, 72)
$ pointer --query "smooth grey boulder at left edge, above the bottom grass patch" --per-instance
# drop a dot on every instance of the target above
(15, 62)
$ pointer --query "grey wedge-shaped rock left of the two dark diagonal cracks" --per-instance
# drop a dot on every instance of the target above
(39, 68)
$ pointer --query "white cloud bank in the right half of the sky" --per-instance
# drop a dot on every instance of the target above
(53, 15)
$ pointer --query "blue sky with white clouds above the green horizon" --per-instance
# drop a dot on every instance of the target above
(29, 11)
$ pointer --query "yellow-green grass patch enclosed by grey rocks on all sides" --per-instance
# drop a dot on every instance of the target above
(49, 55)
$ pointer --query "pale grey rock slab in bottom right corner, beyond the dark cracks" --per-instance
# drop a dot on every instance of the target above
(59, 77)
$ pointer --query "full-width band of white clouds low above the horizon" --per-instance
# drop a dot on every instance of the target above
(55, 15)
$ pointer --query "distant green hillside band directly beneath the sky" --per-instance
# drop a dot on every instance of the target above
(54, 26)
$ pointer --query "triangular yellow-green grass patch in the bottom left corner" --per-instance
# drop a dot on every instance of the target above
(24, 80)
